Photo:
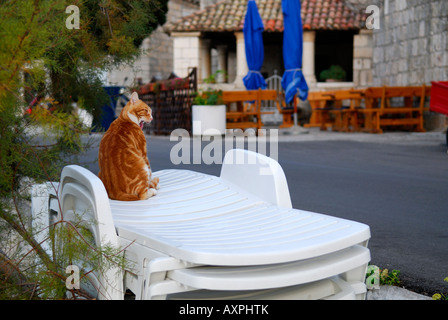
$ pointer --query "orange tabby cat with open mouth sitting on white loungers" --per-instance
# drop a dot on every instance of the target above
(122, 158)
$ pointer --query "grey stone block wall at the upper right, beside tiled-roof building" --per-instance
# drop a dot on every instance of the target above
(410, 47)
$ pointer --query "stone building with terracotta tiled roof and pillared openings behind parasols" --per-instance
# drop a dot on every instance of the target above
(212, 39)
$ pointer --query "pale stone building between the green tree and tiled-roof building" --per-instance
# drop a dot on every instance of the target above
(156, 60)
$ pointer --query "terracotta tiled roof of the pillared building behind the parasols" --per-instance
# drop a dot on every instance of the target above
(228, 15)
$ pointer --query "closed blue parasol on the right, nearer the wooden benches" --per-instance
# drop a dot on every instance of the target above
(293, 79)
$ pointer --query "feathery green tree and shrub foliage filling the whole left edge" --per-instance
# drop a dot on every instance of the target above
(46, 69)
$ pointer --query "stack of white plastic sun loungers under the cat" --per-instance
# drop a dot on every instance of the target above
(233, 236)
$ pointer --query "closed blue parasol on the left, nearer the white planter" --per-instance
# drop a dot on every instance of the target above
(253, 39)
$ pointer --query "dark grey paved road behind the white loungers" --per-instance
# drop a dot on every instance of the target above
(396, 183)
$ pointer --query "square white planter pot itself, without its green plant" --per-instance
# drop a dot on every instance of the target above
(208, 120)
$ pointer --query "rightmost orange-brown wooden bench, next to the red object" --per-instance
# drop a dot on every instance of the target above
(379, 112)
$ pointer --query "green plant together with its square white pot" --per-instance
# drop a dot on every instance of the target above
(208, 111)
